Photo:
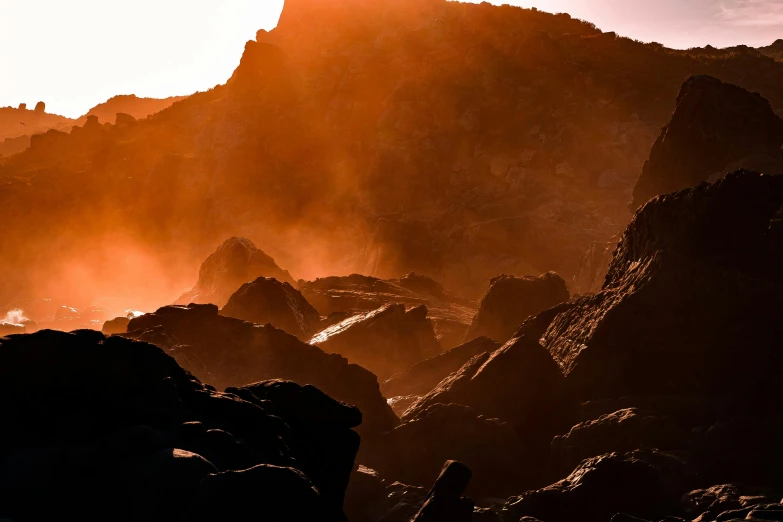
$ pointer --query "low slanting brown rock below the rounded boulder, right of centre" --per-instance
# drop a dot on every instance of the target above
(422, 377)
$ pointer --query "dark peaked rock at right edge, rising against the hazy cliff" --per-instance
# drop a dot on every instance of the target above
(715, 125)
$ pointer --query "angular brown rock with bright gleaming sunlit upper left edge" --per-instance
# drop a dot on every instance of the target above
(385, 341)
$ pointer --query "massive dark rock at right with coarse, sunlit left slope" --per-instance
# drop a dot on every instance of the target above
(690, 303)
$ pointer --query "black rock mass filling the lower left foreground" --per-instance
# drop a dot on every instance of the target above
(104, 422)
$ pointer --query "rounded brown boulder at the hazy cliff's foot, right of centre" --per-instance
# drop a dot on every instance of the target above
(511, 300)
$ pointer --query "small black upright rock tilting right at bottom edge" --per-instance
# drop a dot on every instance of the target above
(444, 502)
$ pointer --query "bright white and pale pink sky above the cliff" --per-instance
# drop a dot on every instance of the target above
(74, 54)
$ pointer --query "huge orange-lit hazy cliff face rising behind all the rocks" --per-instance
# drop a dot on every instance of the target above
(457, 140)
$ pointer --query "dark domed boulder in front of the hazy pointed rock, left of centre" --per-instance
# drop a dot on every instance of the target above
(268, 301)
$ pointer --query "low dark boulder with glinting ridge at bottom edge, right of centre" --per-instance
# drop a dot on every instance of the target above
(642, 483)
